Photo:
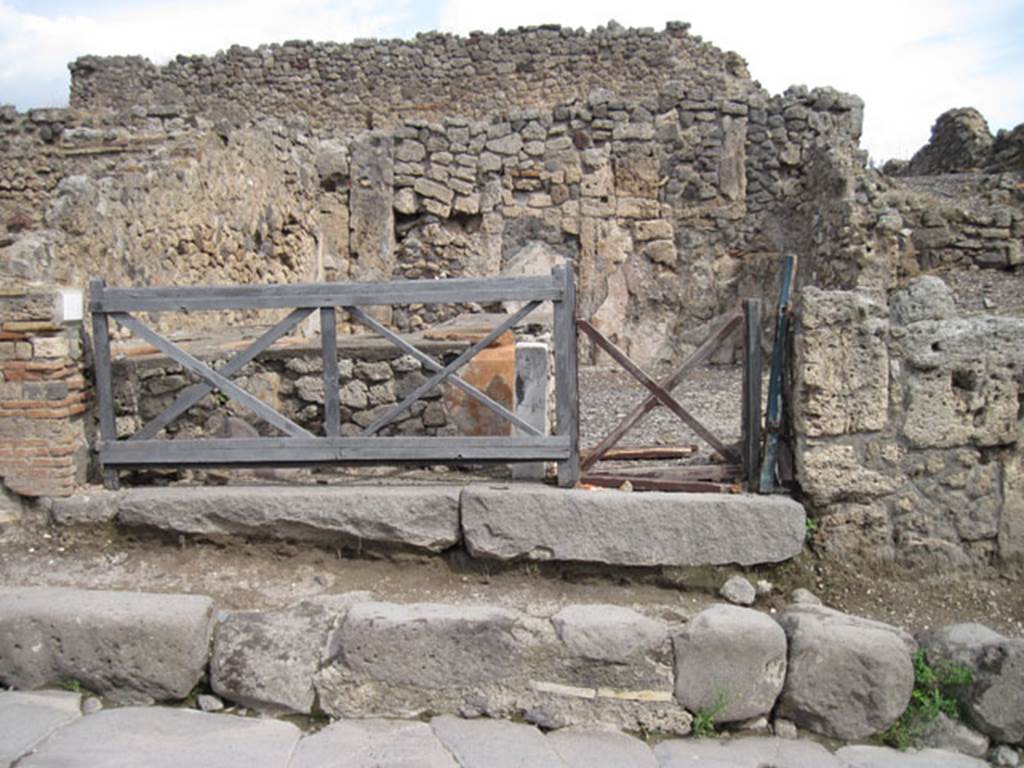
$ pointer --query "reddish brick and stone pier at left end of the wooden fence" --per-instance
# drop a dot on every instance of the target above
(45, 397)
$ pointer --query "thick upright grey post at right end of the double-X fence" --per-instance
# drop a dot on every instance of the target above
(567, 382)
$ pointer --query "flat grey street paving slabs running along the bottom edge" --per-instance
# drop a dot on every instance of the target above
(161, 738)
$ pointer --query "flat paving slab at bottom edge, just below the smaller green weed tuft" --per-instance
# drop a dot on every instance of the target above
(744, 753)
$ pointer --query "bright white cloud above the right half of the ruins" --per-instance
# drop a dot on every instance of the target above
(911, 61)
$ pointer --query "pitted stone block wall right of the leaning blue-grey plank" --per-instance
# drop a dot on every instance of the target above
(909, 425)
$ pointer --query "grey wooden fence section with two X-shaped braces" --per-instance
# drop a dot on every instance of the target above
(300, 446)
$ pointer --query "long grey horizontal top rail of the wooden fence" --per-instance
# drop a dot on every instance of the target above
(484, 290)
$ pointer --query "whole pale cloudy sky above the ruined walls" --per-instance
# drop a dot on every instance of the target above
(910, 60)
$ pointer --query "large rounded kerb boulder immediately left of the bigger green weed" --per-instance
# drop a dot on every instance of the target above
(848, 678)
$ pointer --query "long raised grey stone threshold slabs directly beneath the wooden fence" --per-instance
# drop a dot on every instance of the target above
(504, 522)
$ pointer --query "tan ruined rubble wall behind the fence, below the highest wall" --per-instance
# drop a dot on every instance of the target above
(671, 206)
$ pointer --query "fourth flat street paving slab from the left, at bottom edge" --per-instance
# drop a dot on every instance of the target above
(495, 744)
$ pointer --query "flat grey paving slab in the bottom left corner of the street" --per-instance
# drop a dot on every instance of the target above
(26, 719)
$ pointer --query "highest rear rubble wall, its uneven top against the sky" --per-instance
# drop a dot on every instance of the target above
(345, 90)
